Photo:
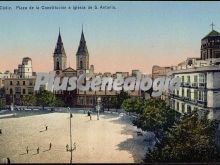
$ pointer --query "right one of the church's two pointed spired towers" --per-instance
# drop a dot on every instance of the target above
(82, 56)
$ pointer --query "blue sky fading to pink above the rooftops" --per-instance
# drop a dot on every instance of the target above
(135, 35)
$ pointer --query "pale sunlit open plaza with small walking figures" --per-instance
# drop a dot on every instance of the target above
(112, 139)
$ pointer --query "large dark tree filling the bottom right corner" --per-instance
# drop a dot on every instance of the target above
(192, 139)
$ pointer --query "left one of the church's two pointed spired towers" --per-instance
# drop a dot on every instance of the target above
(59, 55)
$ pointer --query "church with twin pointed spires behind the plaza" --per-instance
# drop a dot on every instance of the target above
(79, 98)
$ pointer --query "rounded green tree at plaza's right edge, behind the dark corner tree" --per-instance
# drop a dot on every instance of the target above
(155, 116)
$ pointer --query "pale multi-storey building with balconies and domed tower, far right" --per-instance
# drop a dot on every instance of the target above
(200, 80)
